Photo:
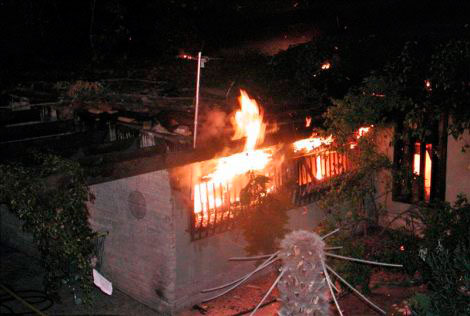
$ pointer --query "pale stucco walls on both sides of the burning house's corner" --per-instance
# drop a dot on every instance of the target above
(152, 257)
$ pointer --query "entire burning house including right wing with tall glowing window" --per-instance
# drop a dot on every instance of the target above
(172, 218)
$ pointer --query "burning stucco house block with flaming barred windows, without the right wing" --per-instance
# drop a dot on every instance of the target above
(173, 220)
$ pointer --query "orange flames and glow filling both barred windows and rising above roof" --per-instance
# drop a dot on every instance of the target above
(219, 182)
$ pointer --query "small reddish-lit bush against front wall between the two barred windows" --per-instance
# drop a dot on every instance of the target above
(264, 216)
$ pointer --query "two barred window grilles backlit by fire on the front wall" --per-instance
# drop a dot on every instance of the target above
(216, 207)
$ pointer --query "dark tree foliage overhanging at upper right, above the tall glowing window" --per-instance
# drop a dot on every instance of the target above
(417, 87)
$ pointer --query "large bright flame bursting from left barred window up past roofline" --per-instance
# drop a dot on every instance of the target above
(248, 123)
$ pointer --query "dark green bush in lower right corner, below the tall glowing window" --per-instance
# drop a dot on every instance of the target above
(441, 255)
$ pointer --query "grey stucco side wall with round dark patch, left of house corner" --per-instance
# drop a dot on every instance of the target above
(139, 252)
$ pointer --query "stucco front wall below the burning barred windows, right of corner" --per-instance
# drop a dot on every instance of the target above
(204, 264)
